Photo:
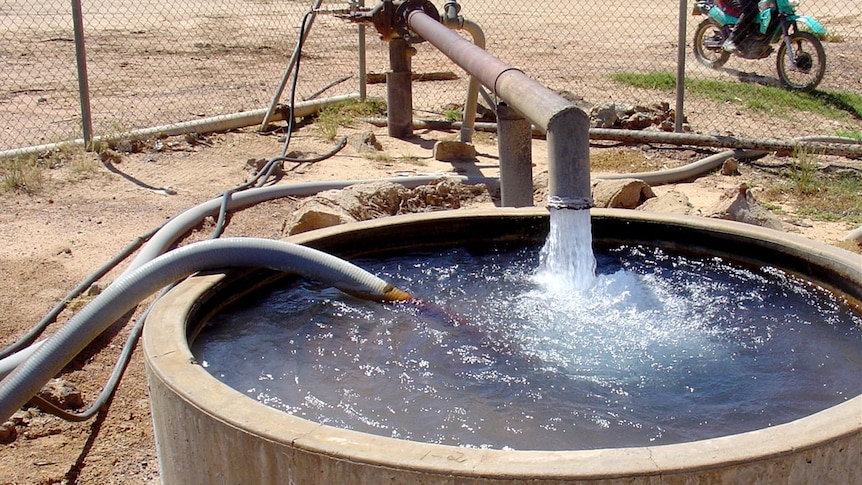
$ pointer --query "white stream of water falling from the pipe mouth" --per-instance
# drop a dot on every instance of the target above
(566, 261)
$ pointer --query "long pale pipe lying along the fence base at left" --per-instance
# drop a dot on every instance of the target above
(204, 125)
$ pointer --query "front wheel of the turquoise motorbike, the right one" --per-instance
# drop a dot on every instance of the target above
(810, 60)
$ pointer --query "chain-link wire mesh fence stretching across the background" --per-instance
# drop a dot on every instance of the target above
(156, 62)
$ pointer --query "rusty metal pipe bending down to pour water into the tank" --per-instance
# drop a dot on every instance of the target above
(567, 126)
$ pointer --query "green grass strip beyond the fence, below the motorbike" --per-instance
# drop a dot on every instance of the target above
(773, 100)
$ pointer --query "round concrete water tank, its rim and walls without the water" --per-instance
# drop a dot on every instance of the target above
(207, 432)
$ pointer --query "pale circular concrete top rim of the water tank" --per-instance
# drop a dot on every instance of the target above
(170, 360)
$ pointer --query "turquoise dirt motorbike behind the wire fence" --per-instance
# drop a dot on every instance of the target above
(801, 59)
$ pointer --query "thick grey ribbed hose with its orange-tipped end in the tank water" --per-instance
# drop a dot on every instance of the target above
(131, 288)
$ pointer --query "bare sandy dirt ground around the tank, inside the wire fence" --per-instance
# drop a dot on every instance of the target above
(51, 240)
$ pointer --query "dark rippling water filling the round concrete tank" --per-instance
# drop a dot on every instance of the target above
(644, 347)
